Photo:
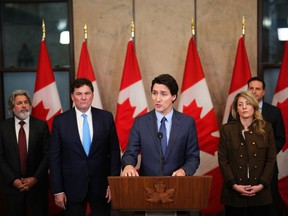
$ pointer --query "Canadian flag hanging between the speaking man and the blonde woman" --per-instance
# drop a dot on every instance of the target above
(195, 101)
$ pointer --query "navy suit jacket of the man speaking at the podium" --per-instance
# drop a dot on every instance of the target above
(182, 150)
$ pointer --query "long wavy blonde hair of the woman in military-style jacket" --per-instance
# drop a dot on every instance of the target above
(258, 120)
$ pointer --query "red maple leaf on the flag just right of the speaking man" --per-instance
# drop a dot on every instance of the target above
(205, 127)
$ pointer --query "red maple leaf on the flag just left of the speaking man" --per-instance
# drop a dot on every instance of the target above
(124, 121)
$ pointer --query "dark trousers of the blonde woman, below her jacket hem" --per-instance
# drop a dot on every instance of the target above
(248, 211)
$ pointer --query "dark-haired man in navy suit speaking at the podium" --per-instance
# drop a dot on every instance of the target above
(180, 156)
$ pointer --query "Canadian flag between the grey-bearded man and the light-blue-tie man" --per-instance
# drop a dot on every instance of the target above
(46, 102)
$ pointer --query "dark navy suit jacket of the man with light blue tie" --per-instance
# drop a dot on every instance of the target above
(72, 171)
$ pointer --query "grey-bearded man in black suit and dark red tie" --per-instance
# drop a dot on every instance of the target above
(24, 181)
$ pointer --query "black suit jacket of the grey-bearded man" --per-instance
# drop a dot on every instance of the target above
(37, 157)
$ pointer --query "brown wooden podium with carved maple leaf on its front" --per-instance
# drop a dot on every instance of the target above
(185, 193)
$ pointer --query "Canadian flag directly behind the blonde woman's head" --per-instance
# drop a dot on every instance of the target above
(241, 74)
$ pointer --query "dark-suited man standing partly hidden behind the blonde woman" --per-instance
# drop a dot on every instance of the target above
(271, 114)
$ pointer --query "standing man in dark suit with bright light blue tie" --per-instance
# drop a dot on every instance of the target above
(79, 174)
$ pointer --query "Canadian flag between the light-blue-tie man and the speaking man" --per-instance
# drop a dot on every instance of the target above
(132, 100)
